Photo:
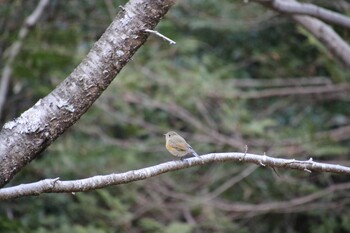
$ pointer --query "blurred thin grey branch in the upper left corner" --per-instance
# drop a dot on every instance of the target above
(30, 21)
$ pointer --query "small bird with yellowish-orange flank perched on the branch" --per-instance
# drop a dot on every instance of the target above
(177, 145)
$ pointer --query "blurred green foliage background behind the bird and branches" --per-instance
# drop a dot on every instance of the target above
(196, 88)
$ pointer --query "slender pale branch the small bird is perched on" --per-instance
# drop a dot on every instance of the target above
(101, 181)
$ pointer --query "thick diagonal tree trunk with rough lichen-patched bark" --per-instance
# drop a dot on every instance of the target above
(22, 139)
